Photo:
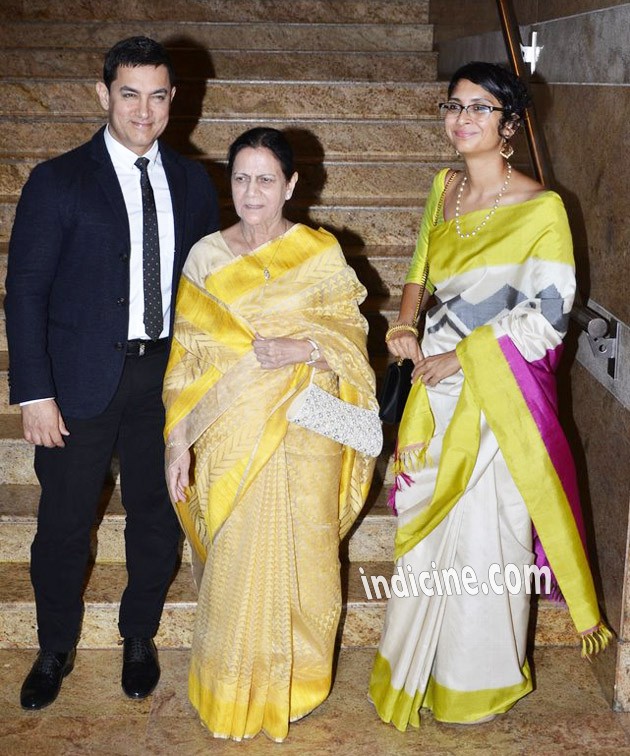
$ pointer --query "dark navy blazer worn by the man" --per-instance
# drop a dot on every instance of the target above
(67, 300)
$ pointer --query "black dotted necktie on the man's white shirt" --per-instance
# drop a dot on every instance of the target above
(153, 318)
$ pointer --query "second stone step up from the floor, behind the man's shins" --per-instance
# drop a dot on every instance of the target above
(372, 537)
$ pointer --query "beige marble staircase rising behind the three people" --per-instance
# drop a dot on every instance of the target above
(357, 96)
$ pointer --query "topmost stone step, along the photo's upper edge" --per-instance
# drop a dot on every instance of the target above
(278, 11)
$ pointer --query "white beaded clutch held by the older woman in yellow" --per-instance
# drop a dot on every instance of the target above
(320, 412)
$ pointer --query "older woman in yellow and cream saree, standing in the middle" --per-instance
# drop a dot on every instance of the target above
(264, 502)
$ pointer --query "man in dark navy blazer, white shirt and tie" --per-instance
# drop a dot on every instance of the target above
(100, 238)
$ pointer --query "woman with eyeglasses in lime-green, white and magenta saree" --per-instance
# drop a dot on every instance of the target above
(485, 487)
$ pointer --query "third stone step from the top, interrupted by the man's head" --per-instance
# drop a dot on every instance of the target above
(233, 64)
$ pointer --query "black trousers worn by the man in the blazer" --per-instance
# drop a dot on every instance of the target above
(72, 480)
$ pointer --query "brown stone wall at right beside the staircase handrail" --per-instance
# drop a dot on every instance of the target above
(582, 99)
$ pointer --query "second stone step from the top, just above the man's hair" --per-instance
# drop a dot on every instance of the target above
(207, 35)
